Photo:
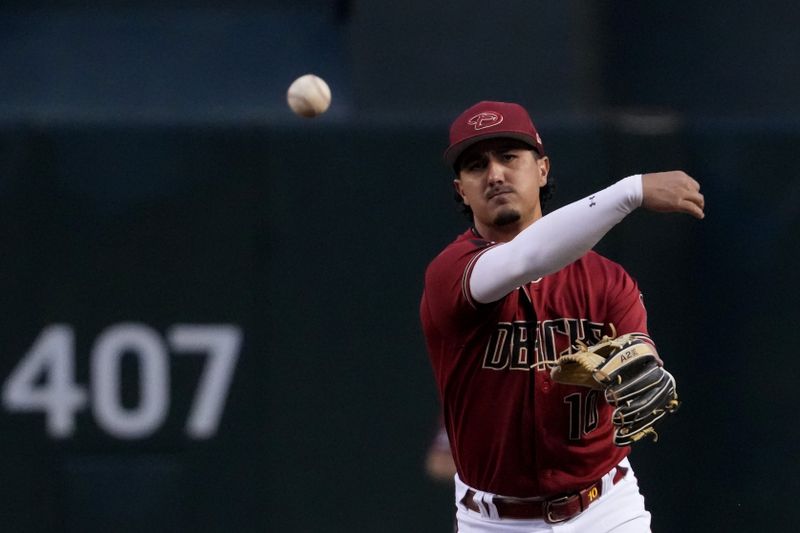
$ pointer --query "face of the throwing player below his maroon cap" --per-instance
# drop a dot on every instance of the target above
(499, 180)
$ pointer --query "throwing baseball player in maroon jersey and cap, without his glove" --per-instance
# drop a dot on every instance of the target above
(502, 303)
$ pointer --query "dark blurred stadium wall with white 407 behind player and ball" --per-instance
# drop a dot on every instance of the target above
(209, 305)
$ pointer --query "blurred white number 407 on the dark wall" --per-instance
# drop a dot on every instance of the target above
(44, 380)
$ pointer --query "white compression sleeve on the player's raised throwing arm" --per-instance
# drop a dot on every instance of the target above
(553, 241)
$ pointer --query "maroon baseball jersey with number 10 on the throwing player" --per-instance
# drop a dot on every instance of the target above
(514, 431)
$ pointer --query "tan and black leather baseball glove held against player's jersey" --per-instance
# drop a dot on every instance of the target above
(627, 368)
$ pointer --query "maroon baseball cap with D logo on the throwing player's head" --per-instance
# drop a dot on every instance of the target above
(489, 120)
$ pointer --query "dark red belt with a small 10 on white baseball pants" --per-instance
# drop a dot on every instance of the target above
(552, 510)
